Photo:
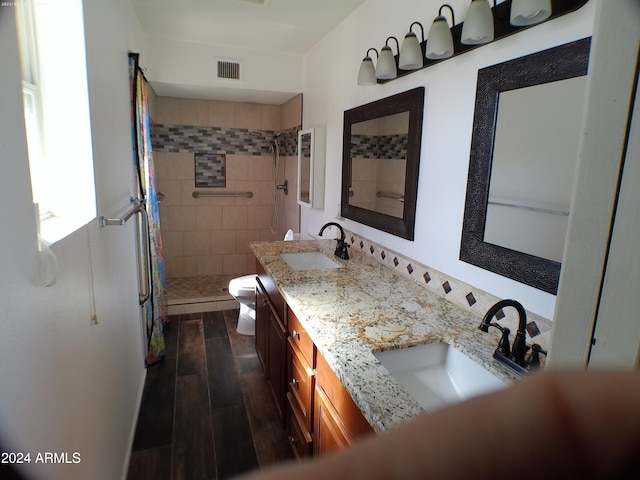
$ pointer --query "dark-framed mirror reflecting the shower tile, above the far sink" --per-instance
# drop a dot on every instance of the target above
(381, 161)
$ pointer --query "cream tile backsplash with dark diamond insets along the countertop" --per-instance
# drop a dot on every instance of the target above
(464, 295)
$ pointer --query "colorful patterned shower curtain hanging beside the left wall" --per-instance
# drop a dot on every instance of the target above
(143, 166)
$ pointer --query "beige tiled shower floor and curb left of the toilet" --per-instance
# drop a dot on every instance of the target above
(204, 293)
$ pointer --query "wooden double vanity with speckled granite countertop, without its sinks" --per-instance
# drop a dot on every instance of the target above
(317, 330)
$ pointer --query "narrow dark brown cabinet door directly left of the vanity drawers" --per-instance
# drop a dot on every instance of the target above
(276, 363)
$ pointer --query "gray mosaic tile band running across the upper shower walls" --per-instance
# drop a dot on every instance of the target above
(216, 140)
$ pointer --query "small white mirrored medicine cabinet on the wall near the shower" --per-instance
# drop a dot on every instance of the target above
(311, 161)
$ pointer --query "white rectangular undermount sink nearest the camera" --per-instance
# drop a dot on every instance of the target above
(437, 374)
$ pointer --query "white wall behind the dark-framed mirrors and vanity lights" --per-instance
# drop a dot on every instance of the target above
(330, 72)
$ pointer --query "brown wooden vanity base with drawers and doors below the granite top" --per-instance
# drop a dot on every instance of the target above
(317, 411)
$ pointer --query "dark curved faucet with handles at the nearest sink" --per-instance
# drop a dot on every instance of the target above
(514, 356)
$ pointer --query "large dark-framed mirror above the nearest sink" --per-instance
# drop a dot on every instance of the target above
(477, 247)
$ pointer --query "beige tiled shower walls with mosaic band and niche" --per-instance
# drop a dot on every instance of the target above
(211, 235)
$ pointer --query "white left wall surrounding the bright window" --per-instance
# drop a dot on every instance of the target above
(69, 385)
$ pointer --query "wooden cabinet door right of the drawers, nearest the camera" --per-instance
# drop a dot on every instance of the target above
(329, 432)
